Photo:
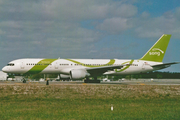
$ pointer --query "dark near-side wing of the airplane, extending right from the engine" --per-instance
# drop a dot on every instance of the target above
(100, 70)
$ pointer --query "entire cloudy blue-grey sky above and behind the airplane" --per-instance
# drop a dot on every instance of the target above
(101, 29)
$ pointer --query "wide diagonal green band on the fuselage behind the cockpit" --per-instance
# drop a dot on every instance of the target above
(40, 66)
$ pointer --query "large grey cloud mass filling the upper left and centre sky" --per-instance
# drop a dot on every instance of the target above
(42, 21)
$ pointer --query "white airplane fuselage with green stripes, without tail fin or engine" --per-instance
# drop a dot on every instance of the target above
(64, 66)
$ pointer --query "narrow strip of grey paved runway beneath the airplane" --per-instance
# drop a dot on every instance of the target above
(124, 82)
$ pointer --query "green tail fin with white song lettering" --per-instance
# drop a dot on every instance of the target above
(157, 51)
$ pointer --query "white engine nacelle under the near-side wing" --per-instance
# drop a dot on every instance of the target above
(78, 74)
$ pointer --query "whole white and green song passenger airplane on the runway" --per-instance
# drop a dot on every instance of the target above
(76, 69)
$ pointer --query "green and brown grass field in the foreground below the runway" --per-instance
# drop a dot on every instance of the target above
(89, 102)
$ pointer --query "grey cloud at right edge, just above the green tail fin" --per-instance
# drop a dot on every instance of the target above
(167, 23)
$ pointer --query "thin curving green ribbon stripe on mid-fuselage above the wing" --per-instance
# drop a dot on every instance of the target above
(111, 62)
